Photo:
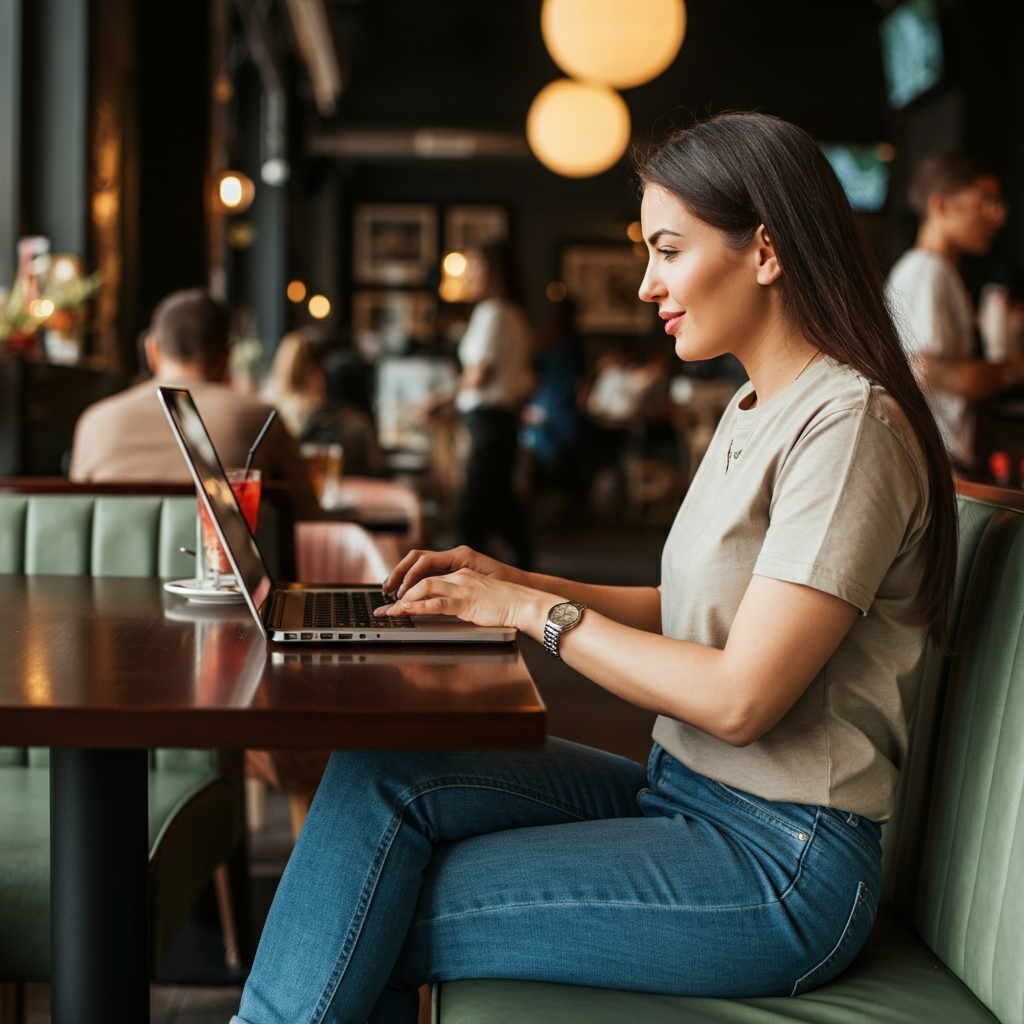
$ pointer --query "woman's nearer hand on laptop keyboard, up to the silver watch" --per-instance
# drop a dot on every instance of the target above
(478, 599)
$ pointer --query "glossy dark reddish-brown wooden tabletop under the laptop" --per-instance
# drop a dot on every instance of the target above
(119, 662)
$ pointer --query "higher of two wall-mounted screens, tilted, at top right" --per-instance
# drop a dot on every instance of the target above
(912, 51)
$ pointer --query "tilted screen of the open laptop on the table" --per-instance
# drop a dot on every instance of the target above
(218, 496)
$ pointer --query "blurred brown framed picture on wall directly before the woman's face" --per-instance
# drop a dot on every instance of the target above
(604, 281)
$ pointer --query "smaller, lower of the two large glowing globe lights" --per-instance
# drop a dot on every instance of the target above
(578, 130)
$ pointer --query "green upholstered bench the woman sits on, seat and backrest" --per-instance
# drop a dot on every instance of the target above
(949, 943)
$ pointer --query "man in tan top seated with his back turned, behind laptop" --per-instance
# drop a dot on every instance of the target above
(127, 438)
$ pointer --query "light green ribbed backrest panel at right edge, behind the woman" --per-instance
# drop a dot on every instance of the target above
(970, 902)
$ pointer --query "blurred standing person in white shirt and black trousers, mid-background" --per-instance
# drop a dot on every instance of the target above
(495, 354)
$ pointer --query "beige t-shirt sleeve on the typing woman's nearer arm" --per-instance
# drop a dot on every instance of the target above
(841, 508)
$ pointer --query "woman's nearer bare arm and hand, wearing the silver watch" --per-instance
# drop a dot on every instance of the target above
(781, 638)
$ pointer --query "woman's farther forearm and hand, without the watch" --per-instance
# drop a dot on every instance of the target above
(639, 608)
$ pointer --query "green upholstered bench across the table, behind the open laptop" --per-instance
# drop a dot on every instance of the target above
(196, 797)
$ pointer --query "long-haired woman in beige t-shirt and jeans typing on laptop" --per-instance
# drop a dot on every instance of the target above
(814, 554)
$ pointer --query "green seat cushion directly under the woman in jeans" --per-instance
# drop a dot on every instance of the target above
(895, 980)
